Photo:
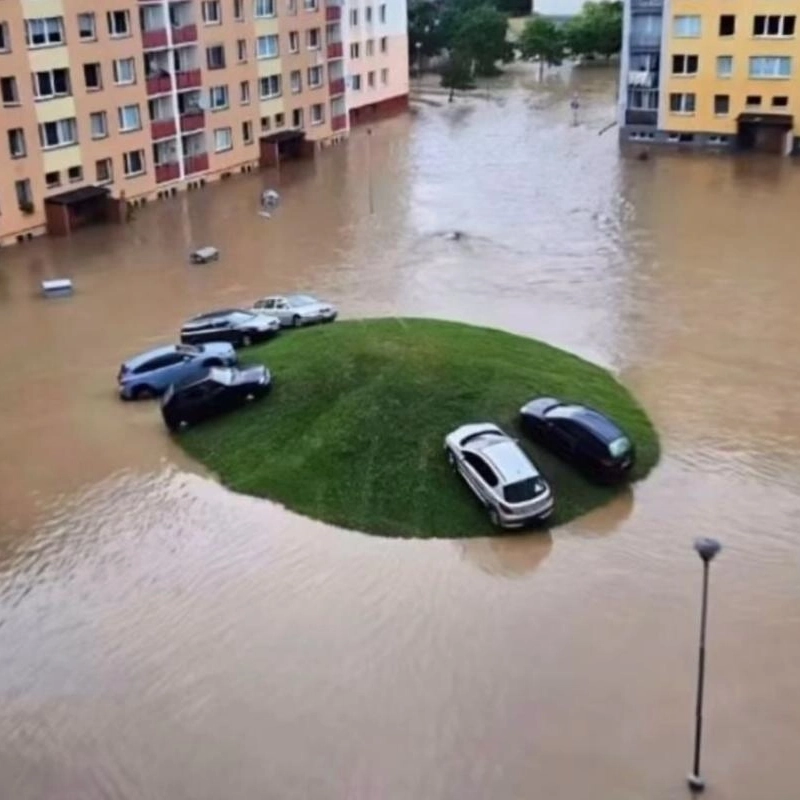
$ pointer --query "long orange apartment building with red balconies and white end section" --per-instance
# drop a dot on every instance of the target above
(123, 100)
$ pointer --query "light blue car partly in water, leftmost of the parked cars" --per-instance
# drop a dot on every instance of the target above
(153, 372)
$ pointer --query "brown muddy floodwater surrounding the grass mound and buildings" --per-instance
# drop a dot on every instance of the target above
(162, 638)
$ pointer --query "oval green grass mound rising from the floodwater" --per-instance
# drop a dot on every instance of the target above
(353, 430)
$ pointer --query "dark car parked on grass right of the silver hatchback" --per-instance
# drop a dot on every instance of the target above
(580, 435)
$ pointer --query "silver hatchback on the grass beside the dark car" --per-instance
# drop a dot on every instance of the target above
(500, 475)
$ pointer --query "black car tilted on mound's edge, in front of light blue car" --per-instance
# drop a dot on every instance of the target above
(218, 391)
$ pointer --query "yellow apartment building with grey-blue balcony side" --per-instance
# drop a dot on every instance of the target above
(709, 74)
